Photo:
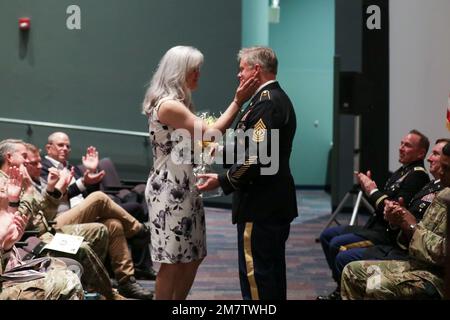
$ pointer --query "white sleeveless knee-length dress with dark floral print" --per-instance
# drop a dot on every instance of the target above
(177, 218)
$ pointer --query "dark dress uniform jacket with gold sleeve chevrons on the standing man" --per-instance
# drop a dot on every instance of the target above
(259, 197)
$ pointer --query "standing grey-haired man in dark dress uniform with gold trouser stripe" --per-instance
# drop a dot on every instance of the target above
(264, 198)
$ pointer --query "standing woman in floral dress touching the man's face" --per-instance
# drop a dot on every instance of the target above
(176, 211)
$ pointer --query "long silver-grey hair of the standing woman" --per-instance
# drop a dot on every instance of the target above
(169, 80)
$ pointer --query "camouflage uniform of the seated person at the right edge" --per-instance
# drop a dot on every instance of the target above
(421, 277)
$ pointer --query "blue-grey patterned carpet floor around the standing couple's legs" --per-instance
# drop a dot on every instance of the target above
(307, 272)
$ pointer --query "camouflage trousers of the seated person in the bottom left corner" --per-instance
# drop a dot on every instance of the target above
(59, 283)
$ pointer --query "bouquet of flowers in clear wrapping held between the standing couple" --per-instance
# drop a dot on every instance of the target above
(204, 156)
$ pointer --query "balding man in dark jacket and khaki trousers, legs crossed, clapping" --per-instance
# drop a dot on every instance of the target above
(97, 207)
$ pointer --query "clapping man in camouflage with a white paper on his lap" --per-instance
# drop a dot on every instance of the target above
(93, 249)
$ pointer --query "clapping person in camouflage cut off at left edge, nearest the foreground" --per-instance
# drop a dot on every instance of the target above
(53, 282)
